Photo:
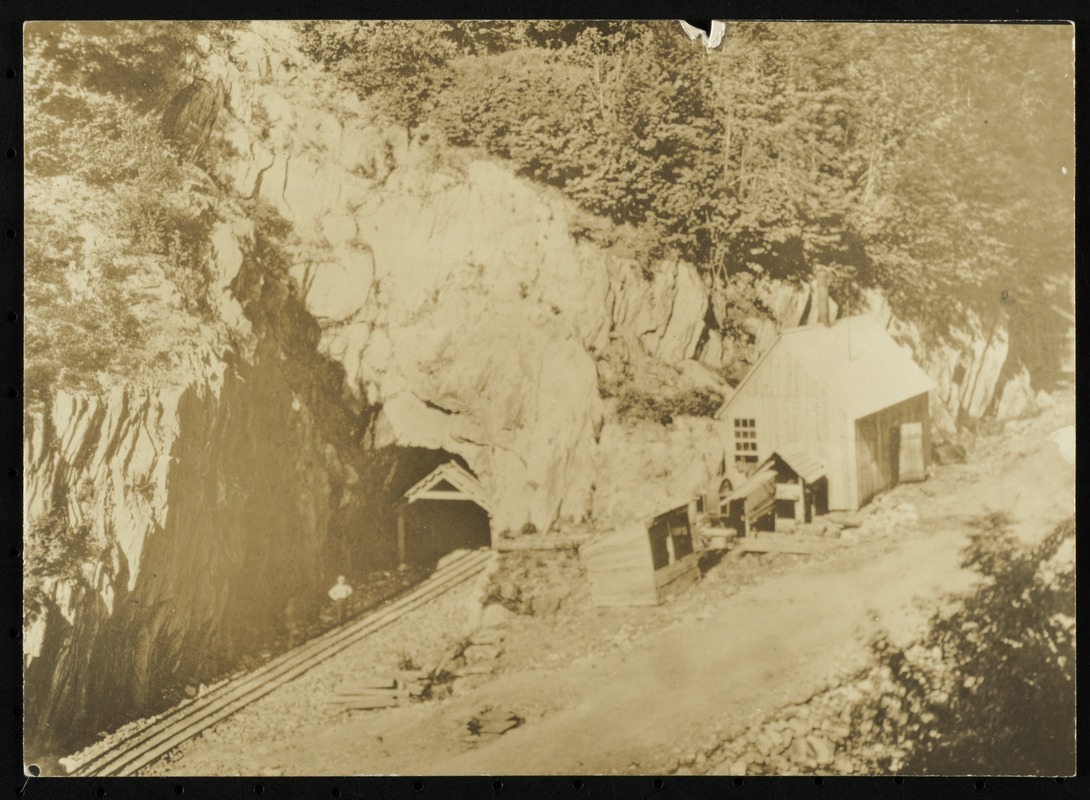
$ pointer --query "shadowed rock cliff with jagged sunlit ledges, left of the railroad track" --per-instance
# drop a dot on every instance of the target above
(210, 500)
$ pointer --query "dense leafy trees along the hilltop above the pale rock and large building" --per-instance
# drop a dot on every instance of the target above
(921, 159)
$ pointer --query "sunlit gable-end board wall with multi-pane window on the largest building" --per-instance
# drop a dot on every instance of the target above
(792, 408)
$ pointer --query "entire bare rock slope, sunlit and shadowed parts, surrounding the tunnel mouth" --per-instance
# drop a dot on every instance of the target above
(433, 300)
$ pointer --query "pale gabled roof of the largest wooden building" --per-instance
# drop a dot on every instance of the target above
(856, 360)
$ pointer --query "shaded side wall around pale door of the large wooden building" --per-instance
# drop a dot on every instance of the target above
(877, 444)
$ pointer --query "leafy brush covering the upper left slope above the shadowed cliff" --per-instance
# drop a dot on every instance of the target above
(94, 94)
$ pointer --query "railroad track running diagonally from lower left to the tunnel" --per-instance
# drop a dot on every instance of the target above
(149, 744)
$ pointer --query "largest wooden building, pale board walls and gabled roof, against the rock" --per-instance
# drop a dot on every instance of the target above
(846, 394)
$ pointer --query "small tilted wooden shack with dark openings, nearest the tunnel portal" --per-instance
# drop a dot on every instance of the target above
(641, 564)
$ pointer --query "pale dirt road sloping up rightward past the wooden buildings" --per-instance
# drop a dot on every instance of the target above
(635, 709)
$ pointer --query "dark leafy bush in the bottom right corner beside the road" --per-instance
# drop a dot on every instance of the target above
(991, 686)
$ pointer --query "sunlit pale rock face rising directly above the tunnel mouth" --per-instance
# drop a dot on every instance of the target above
(453, 293)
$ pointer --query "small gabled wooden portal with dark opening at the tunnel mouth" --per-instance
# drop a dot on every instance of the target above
(445, 512)
